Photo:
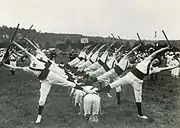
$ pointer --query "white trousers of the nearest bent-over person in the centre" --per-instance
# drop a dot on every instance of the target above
(91, 101)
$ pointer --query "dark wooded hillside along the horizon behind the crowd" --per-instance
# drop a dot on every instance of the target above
(72, 41)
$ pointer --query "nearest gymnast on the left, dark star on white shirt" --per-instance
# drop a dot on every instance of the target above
(47, 78)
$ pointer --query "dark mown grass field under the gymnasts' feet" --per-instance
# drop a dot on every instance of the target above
(19, 100)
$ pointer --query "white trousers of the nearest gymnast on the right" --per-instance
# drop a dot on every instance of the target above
(133, 81)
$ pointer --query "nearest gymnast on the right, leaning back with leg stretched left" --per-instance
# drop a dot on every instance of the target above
(136, 76)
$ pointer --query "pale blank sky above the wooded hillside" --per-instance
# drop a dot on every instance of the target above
(123, 18)
